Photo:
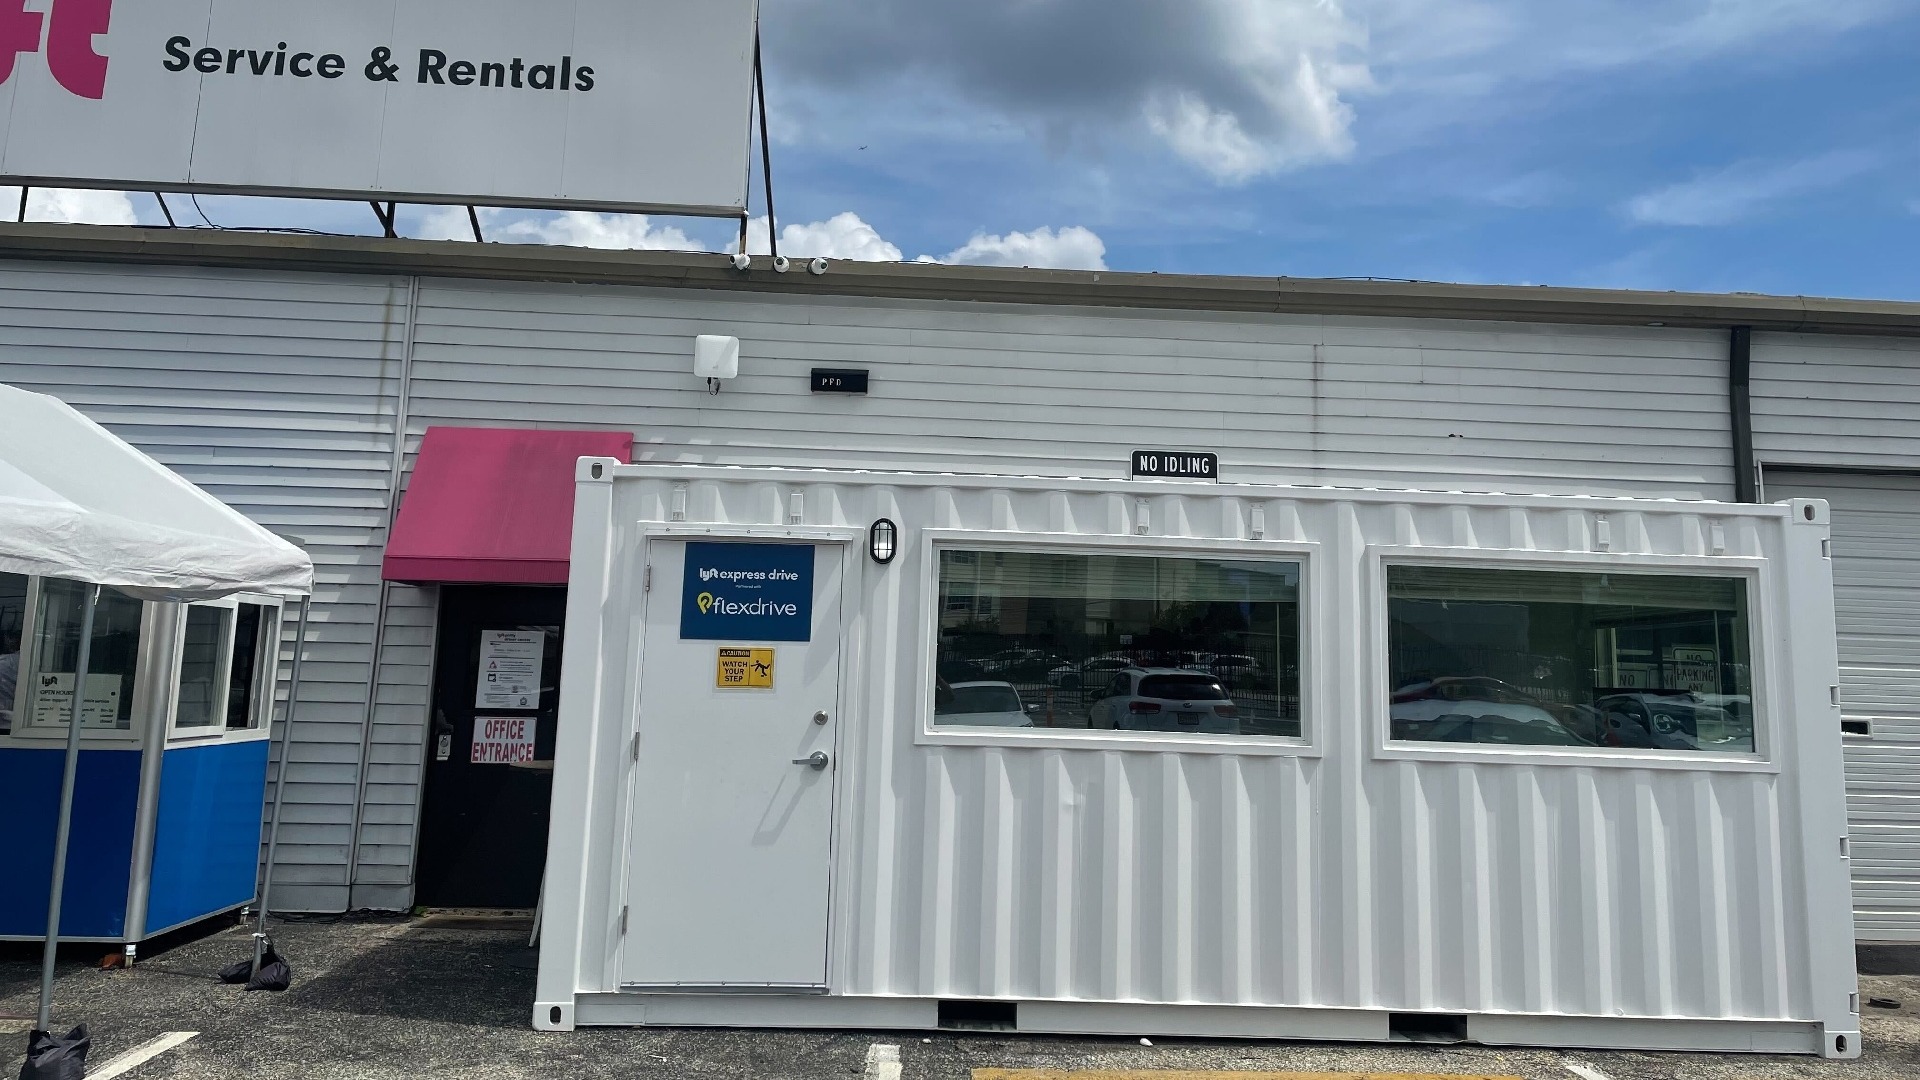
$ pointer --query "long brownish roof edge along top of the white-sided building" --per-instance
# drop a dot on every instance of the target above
(955, 283)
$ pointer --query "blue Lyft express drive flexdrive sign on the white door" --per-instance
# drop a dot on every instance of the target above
(748, 593)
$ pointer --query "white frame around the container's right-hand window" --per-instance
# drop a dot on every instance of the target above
(1762, 618)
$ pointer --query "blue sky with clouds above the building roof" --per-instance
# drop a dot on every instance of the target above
(1691, 145)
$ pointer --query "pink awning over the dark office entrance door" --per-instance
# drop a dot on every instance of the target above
(494, 506)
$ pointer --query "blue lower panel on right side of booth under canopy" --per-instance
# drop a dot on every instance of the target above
(206, 843)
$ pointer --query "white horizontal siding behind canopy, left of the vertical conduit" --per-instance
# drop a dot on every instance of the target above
(277, 395)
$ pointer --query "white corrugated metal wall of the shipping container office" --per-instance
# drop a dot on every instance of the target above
(1335, 879)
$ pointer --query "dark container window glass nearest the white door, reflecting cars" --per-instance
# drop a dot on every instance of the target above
(1118, 645)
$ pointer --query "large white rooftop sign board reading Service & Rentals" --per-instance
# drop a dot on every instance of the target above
(612, 105)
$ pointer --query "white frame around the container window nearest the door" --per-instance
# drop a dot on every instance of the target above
(1312, 637)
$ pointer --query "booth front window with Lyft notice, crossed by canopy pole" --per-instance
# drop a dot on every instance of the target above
(57, 654)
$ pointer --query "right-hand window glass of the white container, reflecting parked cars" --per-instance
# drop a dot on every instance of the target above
(1570, 660)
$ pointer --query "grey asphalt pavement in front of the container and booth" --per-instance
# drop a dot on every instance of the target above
(383, 998)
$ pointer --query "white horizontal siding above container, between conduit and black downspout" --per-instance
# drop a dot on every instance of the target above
(1022, 391)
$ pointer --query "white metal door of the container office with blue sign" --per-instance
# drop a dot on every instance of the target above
(734, 781)
